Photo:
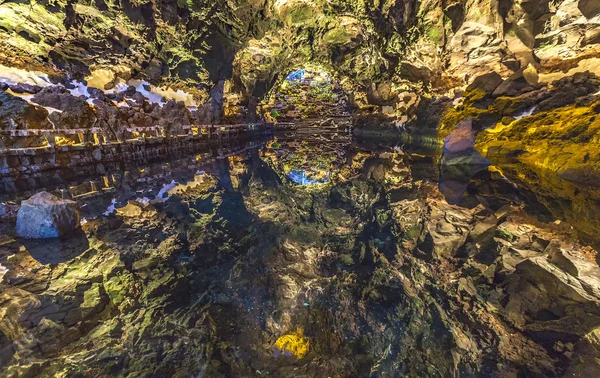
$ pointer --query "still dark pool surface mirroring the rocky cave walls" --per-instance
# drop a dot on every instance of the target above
(392, 265)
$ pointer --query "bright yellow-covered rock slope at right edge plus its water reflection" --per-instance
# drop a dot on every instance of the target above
(555, 155)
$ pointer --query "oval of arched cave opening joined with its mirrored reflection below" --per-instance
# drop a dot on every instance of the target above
(310, 108)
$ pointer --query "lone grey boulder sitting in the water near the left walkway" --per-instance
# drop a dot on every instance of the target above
(47, 216)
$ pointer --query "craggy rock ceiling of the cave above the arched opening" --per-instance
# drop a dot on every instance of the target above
(375, 48)
